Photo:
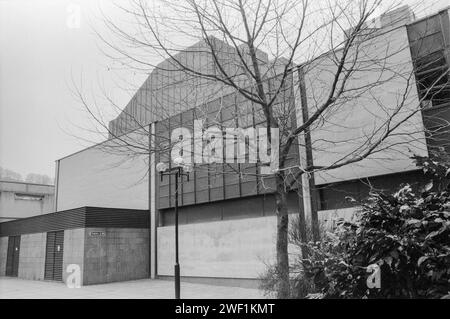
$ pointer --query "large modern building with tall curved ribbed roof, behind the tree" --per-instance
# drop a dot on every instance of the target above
(227, 211)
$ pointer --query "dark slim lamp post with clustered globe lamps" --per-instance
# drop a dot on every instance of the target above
(179, 169)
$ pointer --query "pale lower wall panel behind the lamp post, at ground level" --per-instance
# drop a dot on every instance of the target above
(229, 249)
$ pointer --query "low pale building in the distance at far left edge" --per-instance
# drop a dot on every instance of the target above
(21, 200)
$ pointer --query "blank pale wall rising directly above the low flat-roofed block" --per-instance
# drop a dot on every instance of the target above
(101, 177)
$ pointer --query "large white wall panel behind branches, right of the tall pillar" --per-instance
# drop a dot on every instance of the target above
(341, 132)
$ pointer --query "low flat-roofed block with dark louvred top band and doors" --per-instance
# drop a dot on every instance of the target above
(101, 244)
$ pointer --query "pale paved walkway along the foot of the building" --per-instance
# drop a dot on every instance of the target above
(148, 289)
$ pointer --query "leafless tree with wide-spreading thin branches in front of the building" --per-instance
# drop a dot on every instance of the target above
(330, 57)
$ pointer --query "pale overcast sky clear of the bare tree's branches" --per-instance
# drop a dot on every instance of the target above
(41, 50)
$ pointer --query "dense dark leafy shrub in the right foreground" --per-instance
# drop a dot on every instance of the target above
(406, 234)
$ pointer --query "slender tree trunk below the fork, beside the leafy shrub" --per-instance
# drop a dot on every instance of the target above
(282, 239)
